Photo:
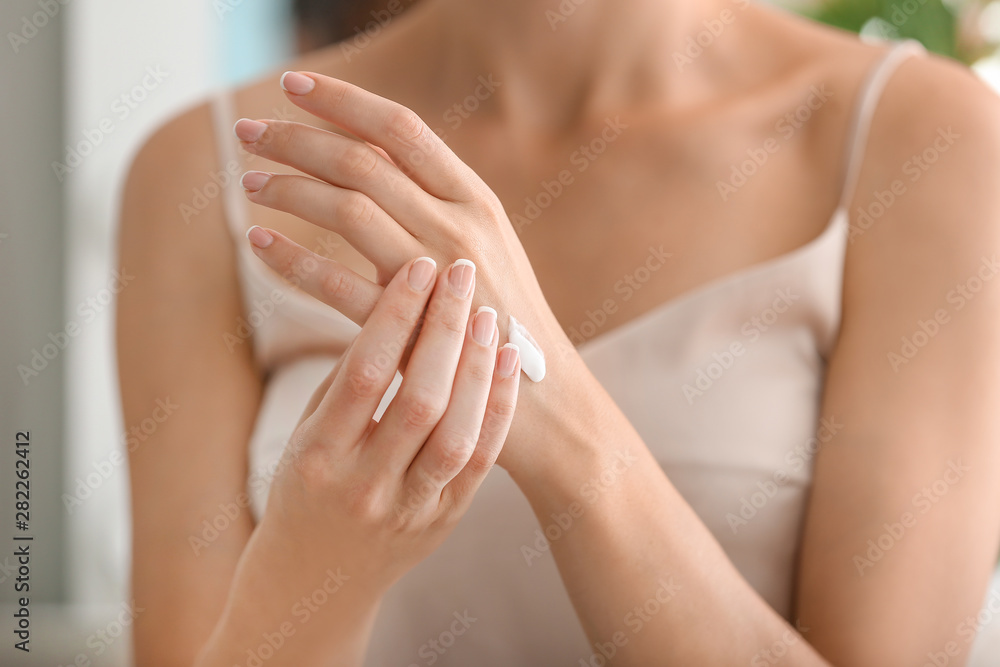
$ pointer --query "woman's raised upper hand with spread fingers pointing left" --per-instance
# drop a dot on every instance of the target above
(395, 193)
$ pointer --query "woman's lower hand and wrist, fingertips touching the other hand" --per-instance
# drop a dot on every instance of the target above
(368, 500)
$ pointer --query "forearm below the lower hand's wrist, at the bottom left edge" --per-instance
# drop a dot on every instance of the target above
(286, 616)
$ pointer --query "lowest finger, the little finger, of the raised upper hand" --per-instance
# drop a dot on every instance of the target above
(325, 279)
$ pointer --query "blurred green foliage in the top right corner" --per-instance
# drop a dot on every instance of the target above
(948, 29)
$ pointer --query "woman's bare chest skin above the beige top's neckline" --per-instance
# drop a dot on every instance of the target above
(627, 217)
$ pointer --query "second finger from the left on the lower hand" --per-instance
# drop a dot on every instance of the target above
(430, 373)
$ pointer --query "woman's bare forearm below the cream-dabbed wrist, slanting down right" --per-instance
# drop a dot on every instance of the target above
(648, 580)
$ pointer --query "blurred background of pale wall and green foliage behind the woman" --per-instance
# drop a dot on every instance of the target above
(84, 82)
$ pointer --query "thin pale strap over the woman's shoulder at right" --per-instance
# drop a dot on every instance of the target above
(868, 99)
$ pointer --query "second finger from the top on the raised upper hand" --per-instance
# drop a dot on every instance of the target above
(338, 160)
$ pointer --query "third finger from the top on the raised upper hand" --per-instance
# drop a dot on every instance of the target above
(346, 212)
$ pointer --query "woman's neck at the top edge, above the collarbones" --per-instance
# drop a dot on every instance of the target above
(565, 62)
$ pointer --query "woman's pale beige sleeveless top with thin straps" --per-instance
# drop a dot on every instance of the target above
(723, 383)
